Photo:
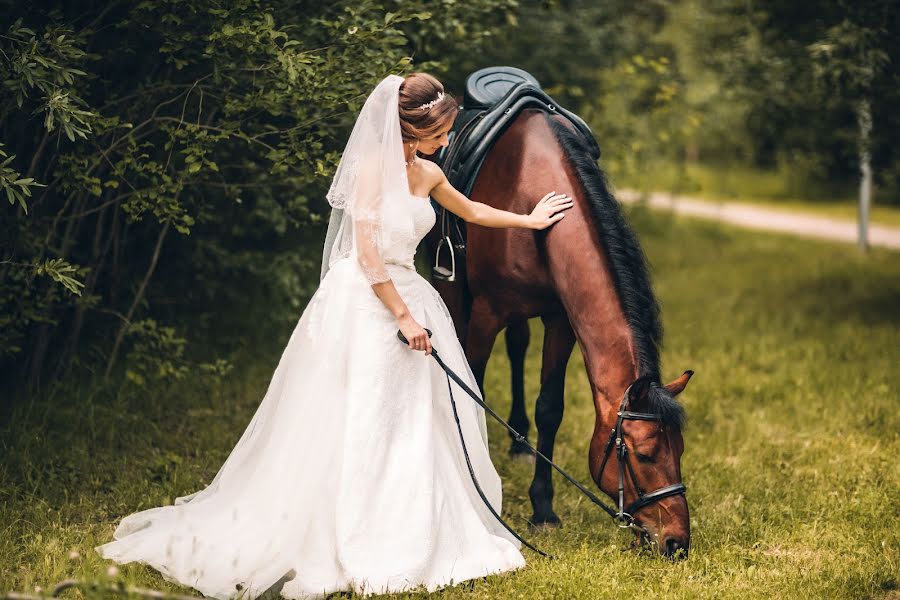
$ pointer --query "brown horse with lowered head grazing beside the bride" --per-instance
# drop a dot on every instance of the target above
(586, 278)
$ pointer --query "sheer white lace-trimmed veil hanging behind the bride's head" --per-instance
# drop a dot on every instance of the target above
(370, 176)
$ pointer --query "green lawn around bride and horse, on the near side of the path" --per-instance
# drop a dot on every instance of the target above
(790, 455)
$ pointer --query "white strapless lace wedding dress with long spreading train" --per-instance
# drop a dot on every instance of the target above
(351, 471)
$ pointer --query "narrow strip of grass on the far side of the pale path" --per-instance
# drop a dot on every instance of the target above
(771, 189)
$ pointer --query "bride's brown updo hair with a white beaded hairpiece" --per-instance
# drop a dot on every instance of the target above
(415, 122)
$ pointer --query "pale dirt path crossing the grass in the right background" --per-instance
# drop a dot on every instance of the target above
(758, 217)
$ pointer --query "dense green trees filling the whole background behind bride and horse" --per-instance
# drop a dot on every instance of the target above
(165, 163)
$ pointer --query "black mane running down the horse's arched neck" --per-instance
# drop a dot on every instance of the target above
(626, 258)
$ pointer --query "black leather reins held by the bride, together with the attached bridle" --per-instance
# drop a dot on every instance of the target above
(624, 515)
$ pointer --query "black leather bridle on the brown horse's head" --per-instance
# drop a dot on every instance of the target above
(626, 514)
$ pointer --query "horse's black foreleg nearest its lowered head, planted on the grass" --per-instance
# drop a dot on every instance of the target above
(559, 339)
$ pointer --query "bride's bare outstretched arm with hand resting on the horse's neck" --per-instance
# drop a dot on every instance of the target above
(547, 211)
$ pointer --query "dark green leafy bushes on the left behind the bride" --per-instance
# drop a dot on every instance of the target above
(222, 122)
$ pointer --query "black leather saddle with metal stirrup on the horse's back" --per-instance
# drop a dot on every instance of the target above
(493, 98)
